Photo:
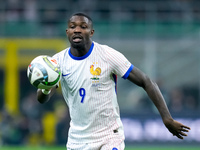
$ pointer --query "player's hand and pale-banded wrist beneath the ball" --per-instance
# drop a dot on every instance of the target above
(44, 96)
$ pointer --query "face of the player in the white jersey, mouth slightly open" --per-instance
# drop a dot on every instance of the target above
(79, 31)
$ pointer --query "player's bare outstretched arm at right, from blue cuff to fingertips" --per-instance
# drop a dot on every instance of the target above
(141, 79)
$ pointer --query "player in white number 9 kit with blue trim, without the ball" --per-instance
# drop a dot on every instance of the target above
(88, 84)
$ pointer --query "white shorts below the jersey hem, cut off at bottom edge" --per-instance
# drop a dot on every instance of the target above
(111, 144)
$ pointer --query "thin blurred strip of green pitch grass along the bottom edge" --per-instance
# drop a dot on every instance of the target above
(127, 148)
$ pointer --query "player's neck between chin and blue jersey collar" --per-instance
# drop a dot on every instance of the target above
(80, 51)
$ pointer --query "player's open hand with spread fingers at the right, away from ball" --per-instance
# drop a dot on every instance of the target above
(177, 128)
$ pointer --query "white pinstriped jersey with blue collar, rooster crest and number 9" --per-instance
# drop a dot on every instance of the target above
(89, 88)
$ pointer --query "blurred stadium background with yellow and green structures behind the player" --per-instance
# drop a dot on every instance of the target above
(161, 37)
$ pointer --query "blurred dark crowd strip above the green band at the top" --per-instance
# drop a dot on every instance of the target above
(40, 10)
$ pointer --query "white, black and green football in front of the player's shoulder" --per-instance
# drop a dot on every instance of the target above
(44, 72)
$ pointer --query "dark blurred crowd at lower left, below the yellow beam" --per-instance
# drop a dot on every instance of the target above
(35, 123)
